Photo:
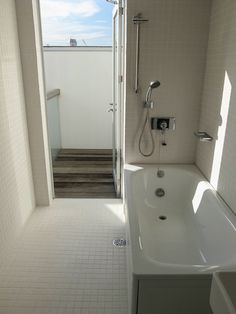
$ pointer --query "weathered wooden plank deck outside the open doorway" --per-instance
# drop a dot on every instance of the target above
(80, 173)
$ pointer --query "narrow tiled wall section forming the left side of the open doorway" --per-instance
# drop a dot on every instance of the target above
(32, 70)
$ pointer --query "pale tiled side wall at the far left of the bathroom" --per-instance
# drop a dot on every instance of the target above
(16, 186)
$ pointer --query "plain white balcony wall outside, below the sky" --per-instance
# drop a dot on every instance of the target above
(85, 80)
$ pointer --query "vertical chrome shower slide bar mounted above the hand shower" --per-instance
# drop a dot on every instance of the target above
(137, 20)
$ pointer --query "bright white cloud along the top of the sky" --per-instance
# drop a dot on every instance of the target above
(63, 9)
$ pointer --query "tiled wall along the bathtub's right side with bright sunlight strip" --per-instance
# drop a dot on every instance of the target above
(218, 114)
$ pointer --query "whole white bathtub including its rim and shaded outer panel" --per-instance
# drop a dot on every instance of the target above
(197, 237)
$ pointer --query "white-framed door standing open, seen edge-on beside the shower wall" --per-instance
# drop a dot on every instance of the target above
(117, 92)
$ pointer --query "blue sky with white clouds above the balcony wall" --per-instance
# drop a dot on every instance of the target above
(84, 20)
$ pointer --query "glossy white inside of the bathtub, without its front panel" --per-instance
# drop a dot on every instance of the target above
(189, 225)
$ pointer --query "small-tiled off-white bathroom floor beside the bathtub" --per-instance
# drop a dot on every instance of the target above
(65, 263)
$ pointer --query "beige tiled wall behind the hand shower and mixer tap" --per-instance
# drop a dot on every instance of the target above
(172, 50)
